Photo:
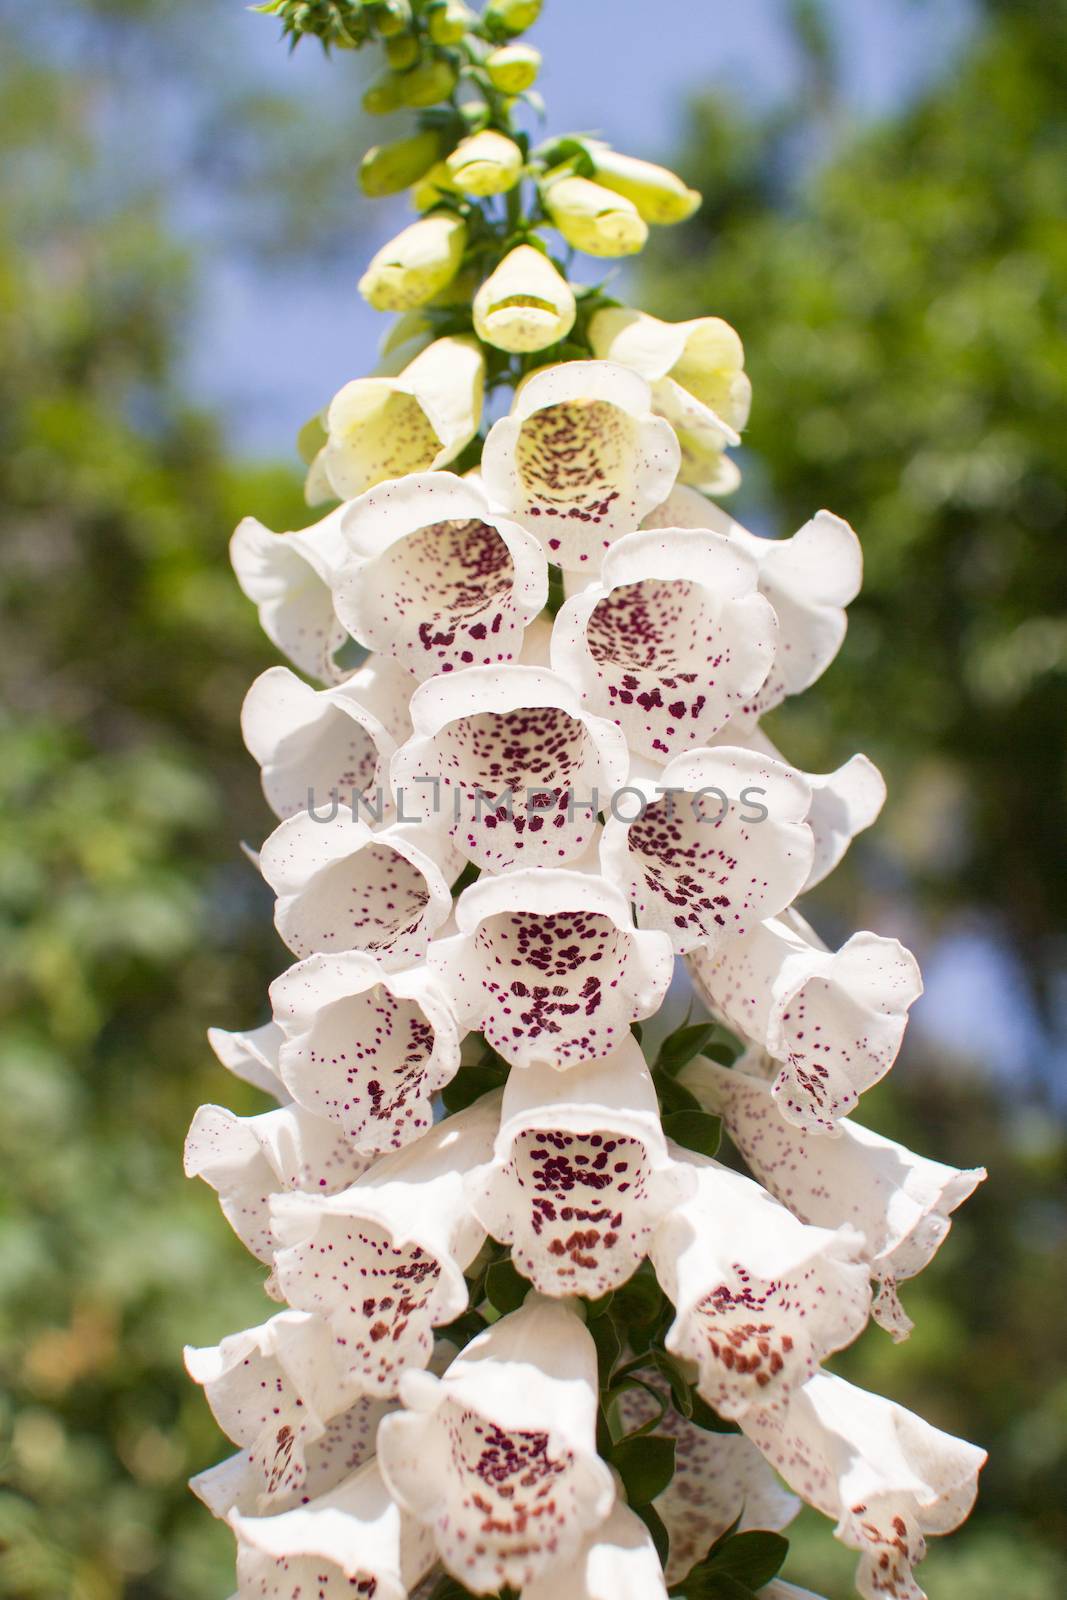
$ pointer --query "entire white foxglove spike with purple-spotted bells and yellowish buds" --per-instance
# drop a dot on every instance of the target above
(538, 1337)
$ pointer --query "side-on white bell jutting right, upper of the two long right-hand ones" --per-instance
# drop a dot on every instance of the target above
(898, 1201)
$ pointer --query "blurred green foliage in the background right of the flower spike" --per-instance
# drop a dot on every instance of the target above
(901, 295)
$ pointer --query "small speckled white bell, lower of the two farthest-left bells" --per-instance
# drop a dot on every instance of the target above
(274, 1391)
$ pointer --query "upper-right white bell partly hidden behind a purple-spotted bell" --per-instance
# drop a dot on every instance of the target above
(809, 578)
